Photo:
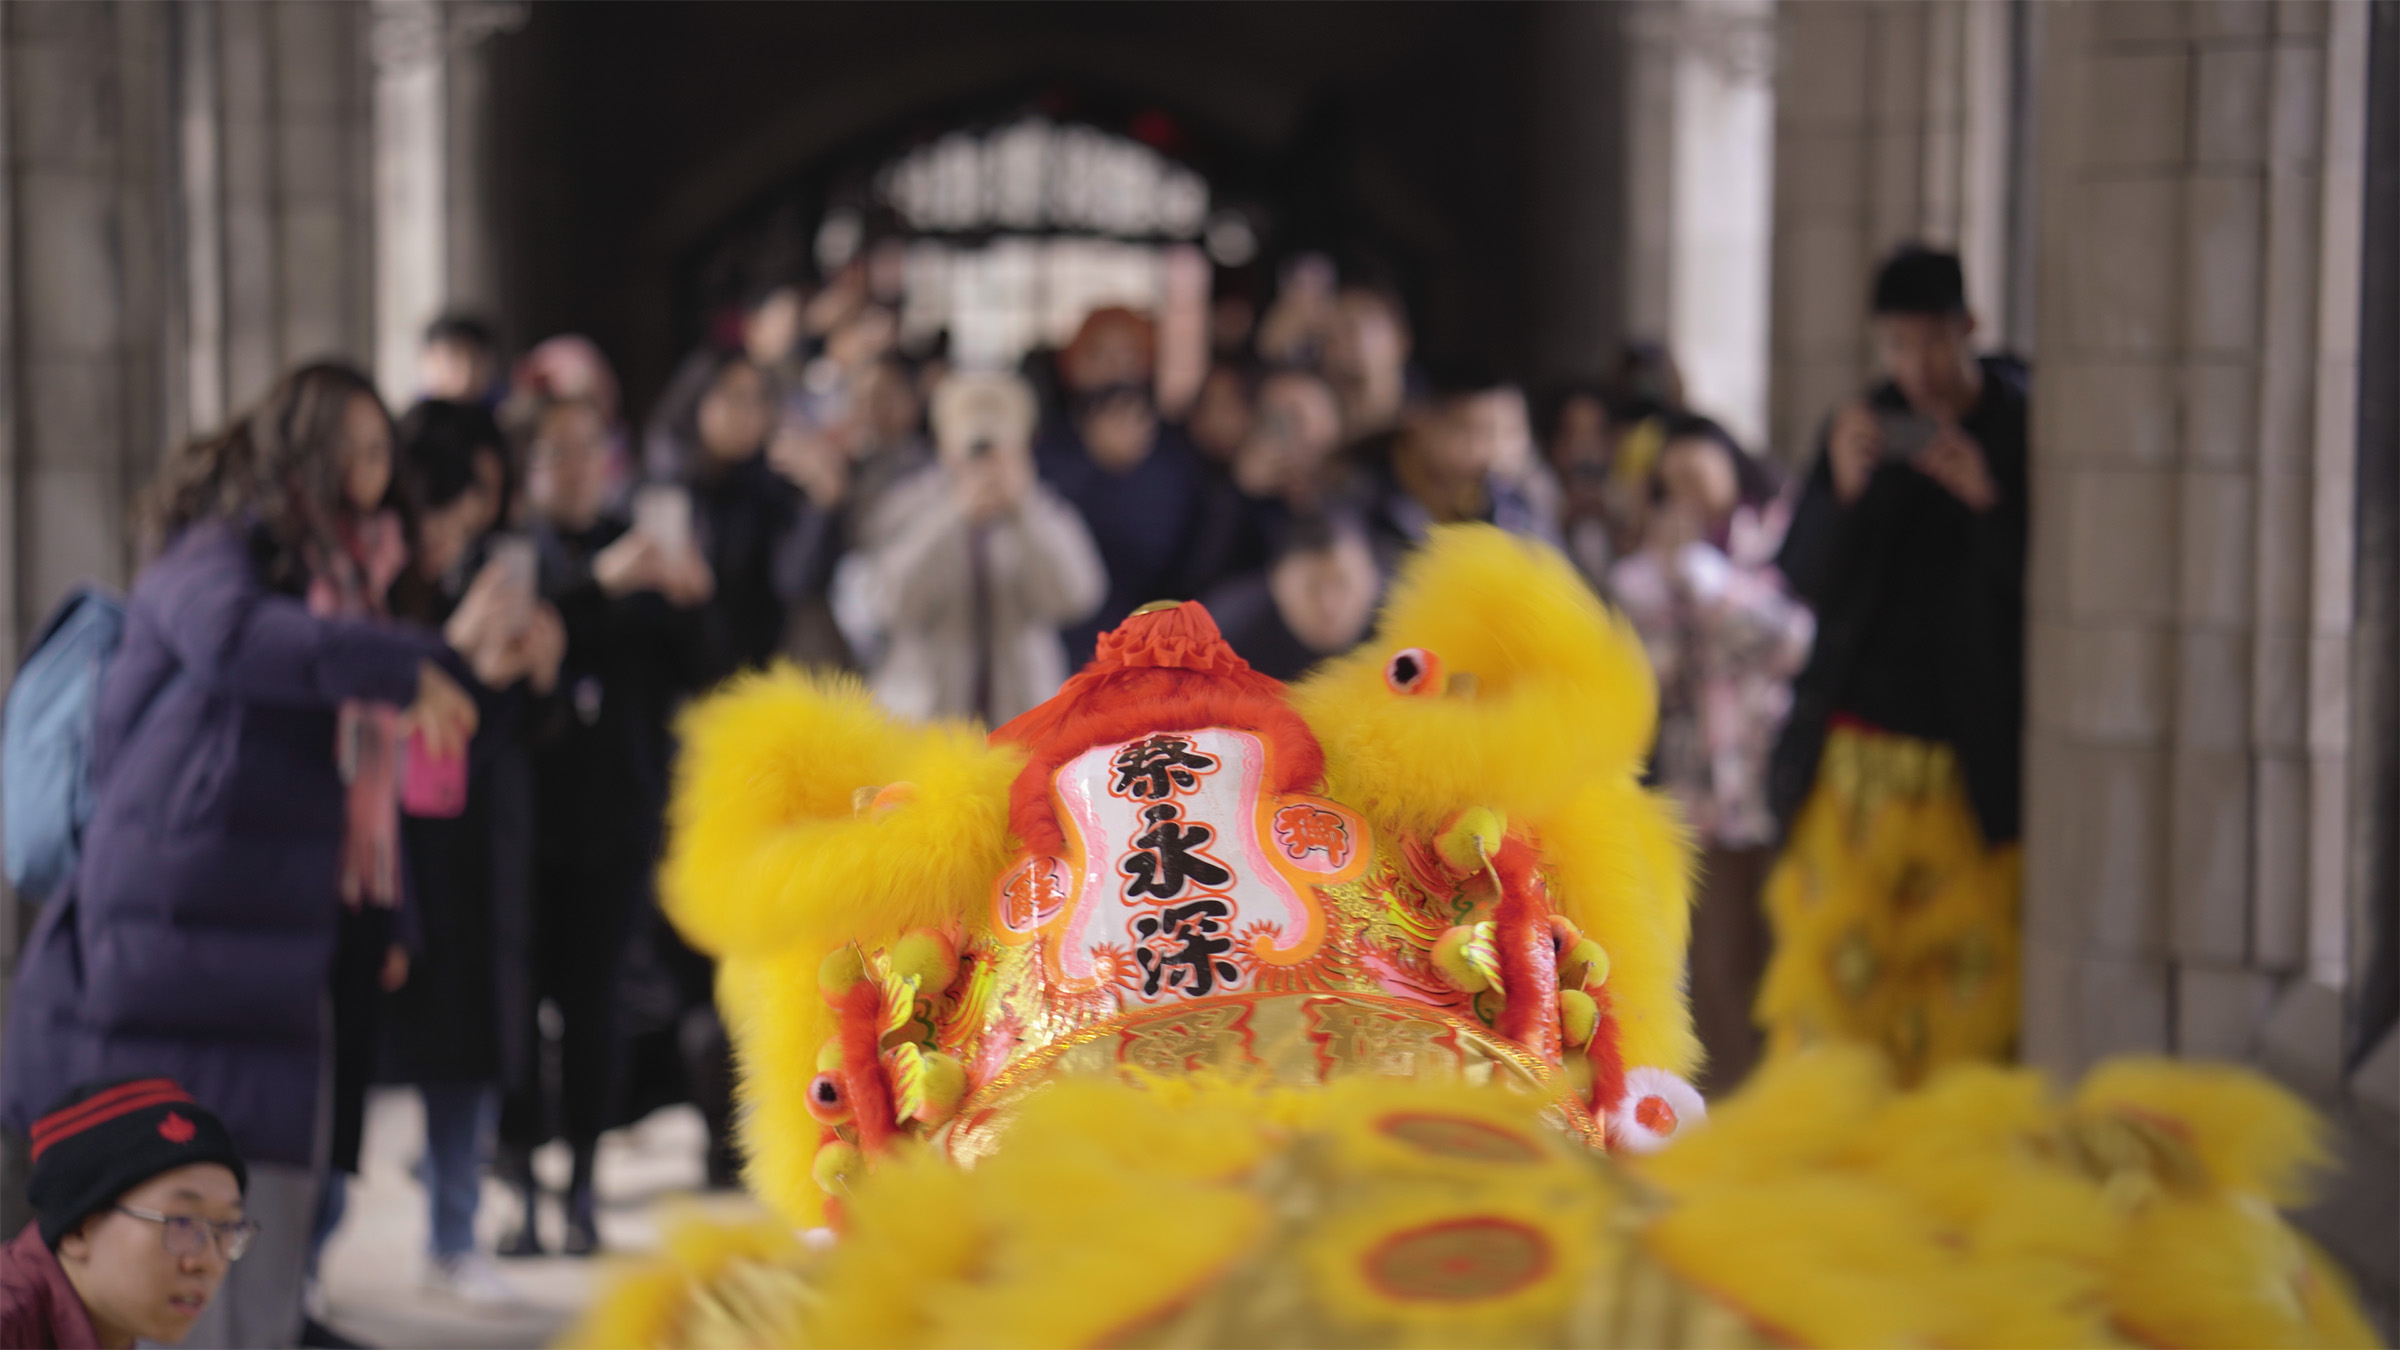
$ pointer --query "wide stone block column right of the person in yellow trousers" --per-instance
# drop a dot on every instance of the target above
(2192, 571)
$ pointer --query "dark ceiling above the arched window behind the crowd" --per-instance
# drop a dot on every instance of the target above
(1420, 138)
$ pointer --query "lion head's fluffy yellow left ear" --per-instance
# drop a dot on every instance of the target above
(805, 816)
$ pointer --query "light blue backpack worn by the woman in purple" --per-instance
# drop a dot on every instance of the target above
(47, 741)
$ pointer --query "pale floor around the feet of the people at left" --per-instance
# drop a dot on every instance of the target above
(376, 1265)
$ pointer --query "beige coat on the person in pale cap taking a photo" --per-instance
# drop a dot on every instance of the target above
(908, 599)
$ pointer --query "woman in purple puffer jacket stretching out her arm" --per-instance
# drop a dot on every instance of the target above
(241, 765)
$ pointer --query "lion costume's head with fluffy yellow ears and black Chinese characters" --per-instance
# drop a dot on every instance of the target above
(1434, 859)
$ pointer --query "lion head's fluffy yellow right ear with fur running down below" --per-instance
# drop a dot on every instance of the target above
(1554, 739)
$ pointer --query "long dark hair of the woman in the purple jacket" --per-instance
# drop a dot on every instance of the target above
(277, 467)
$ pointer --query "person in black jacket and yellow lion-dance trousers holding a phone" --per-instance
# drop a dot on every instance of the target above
(1897, 775)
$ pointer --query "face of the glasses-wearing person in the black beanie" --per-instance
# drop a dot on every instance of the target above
(121, 1265)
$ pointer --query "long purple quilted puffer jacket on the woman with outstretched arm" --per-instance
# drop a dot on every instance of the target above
(198, 936)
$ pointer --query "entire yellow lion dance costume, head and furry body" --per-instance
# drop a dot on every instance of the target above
(1194, 1010)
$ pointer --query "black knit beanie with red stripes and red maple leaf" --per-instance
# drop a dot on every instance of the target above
(104, 1140)
